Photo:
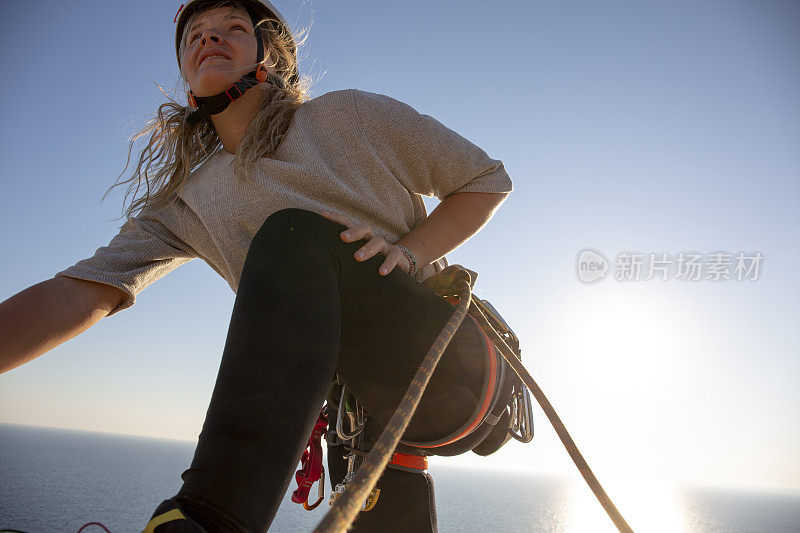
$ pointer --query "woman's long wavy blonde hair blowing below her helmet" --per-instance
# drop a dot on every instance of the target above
(176, 148)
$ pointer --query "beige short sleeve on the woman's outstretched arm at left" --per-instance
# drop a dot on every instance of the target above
(145, 250)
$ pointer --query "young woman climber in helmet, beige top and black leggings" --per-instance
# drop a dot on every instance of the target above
(311, 209)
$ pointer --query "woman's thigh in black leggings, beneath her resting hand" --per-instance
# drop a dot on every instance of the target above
(388, 325)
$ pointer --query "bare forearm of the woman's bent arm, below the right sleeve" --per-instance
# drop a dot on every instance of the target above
(458, 217)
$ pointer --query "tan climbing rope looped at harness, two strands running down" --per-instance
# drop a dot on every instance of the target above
(452, 281)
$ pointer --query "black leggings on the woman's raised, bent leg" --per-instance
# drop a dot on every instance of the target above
(306, 310)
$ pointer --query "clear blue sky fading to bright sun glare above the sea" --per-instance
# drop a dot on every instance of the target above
(628, 129)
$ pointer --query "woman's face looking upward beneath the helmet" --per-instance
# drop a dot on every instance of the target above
(220, 48)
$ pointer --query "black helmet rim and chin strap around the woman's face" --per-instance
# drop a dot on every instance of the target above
(210, 105)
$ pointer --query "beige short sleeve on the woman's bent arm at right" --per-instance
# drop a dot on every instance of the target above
(426, 156)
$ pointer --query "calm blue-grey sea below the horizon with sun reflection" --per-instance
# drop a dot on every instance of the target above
(56, 480)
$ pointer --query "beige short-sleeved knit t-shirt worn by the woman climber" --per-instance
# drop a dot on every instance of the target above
(362, 154)
